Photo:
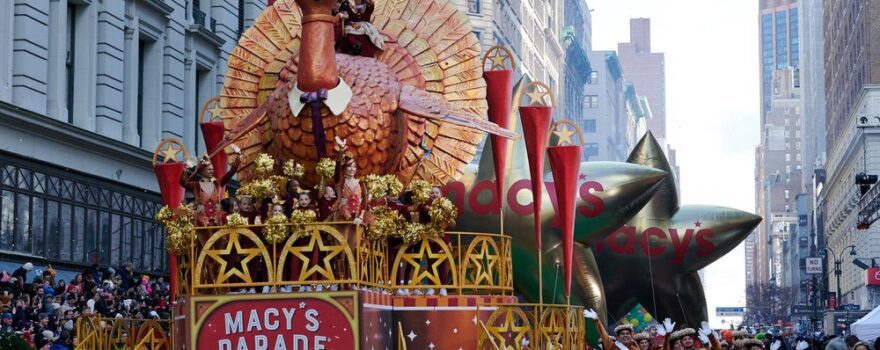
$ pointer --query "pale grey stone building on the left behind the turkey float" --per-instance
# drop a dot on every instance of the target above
(87, 91)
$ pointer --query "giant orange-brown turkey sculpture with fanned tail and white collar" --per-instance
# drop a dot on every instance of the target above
(416, 110)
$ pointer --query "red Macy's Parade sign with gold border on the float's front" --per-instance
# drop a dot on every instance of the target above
(288, 323)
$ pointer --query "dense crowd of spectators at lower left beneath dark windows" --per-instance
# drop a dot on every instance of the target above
(41, 310)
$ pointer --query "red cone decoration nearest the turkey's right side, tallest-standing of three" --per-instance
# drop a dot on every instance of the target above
(499, 93)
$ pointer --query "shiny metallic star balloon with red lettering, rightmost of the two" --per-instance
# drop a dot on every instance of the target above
(655, 257)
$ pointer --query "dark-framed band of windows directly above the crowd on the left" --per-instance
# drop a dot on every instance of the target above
(68, 218)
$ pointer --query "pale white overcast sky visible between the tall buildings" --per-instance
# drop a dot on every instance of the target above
(712, 106)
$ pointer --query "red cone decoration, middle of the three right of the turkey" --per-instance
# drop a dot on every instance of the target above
(536, 123)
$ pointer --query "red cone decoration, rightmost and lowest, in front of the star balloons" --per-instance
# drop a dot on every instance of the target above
(565, 164)
